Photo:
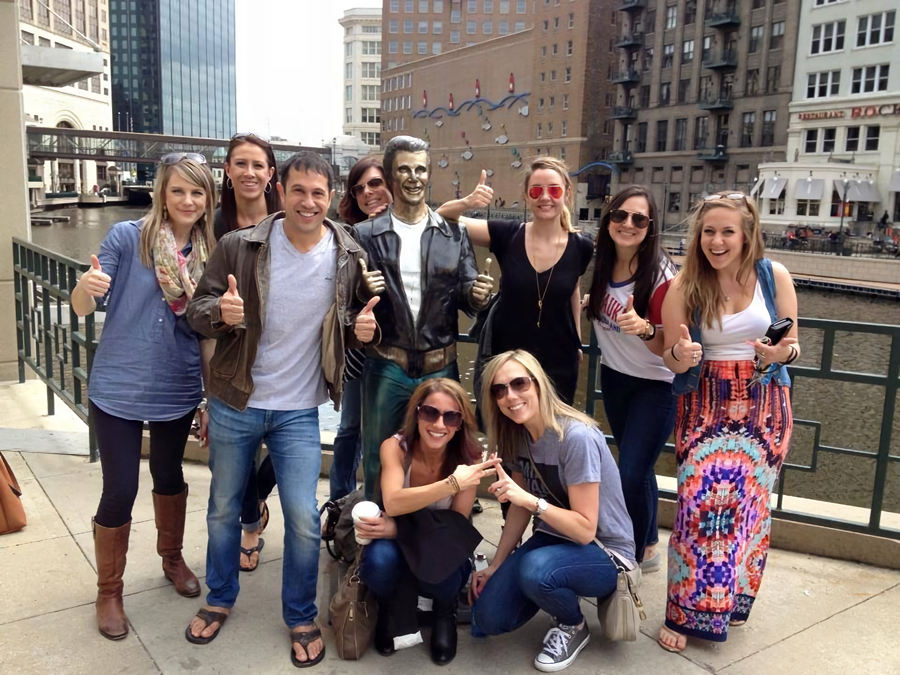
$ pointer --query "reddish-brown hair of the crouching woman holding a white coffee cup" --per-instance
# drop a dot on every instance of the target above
(462, 448)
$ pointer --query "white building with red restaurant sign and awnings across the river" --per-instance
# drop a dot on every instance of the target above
(843, 141)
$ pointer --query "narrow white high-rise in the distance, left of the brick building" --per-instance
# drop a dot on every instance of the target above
(362, 74)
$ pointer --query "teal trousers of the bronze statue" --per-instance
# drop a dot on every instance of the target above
(386, 393)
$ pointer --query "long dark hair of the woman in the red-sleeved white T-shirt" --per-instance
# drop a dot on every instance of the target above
(650, 256)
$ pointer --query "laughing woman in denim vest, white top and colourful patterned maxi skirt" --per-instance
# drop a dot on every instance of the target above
(734, 418)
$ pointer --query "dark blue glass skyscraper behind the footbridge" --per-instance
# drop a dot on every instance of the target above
(173, 67)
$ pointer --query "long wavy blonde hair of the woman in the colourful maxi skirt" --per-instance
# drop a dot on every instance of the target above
(697, 279)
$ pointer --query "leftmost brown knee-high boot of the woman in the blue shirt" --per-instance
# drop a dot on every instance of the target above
(110, 549)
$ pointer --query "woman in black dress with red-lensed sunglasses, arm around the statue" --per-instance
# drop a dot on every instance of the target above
(541, 262)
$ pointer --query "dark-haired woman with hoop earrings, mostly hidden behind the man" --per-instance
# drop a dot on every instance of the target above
(249, 195)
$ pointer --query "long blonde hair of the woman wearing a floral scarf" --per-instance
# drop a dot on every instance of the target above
(193, 172)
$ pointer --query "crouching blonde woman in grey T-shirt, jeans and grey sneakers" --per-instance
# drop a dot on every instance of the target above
(565, 477)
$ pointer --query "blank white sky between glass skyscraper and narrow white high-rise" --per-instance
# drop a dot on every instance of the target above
(289, 67)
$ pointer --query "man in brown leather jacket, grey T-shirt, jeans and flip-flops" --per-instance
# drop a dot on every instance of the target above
(277, 299)
